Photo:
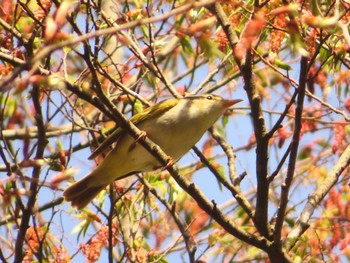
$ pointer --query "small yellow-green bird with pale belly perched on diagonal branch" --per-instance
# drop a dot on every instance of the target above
(175, 125)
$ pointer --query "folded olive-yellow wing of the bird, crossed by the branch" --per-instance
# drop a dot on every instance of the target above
(153, 111)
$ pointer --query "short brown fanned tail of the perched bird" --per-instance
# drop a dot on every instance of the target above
(82, 192)
